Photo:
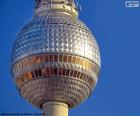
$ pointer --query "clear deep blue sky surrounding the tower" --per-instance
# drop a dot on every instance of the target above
(117, 30)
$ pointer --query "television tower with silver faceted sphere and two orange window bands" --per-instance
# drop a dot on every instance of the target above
(55, 58)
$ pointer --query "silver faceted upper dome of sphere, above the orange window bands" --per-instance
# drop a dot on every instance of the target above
(56, 34)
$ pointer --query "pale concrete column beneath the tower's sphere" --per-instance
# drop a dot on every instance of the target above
(55, 108)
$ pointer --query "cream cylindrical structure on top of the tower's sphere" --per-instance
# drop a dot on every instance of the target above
(43, 7)
